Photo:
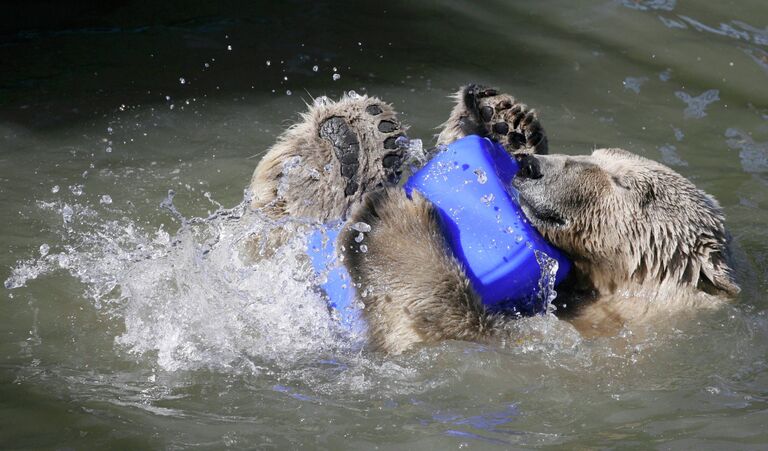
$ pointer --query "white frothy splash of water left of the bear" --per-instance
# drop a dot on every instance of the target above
(197, 298)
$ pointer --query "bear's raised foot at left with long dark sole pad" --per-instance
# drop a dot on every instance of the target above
(329, 160)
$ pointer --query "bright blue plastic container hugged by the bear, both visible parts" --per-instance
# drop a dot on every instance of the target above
(470, 185)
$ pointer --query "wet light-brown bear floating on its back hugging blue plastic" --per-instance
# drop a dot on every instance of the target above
(643, 239)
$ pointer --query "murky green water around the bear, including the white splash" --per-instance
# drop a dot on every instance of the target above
(131, 326)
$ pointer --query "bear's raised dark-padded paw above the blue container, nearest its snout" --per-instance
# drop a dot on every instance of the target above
(486, 112)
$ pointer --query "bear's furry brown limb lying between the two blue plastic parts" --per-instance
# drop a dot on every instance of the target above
(413, 289)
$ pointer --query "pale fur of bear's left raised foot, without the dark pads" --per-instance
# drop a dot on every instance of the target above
(314, 188)
